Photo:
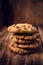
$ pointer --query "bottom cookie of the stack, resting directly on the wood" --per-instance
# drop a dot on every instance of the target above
(16, 50)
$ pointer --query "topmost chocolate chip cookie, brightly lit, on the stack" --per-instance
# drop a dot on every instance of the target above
(22, 29)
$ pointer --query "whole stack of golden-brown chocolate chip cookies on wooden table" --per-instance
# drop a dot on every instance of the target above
(24, 38)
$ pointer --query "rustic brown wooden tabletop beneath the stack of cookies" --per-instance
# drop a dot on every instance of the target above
(8, 58)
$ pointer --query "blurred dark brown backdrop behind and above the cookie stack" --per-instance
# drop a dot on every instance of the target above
(20, 11)
